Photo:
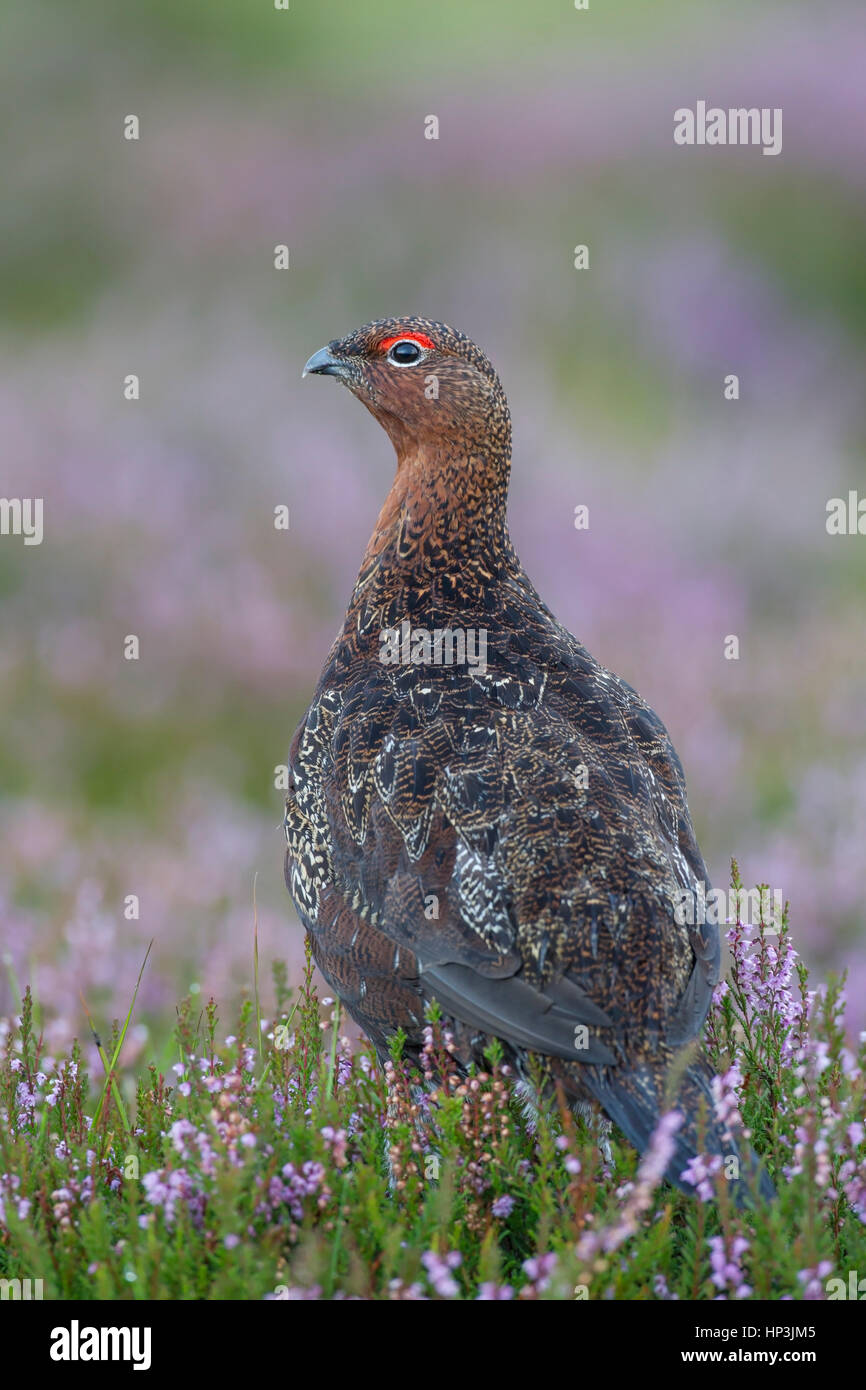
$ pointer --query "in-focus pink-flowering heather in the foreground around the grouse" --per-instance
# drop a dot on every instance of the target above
(280, 1161)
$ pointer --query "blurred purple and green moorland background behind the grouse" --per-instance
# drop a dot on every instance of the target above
(156, 258)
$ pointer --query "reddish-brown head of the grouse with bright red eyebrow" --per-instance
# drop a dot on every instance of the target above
(429, 386)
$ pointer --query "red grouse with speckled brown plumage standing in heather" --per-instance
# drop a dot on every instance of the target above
(479, 812)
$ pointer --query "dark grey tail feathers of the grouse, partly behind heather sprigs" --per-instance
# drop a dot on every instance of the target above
(636, 1102)
